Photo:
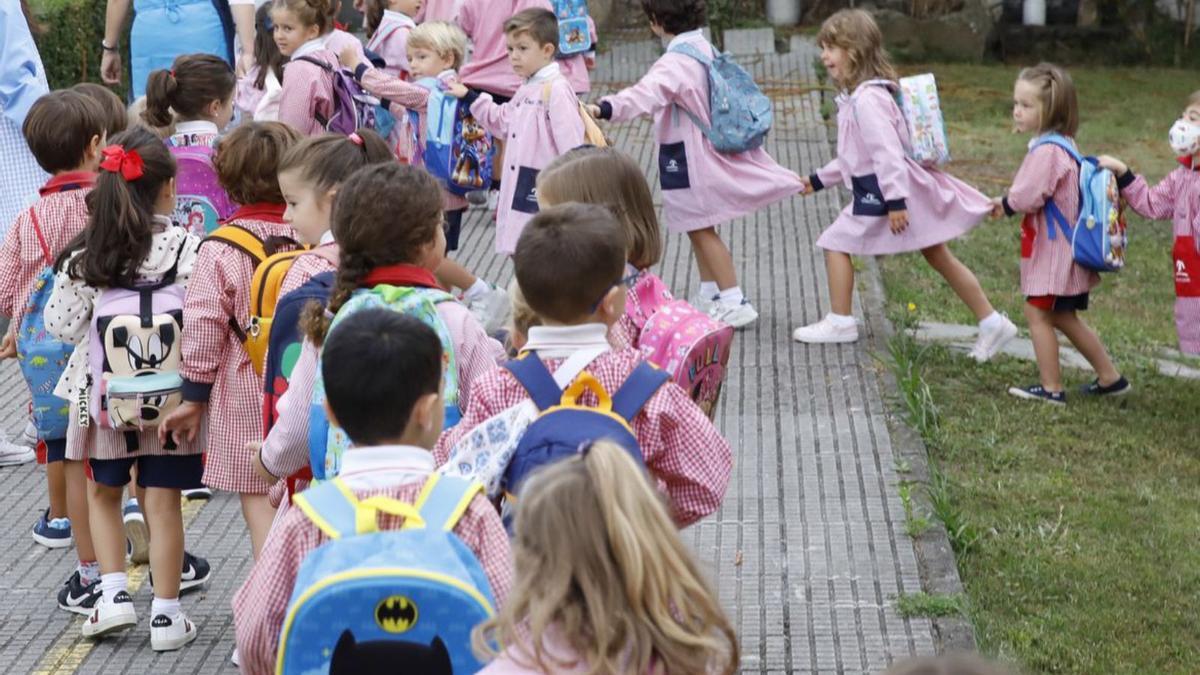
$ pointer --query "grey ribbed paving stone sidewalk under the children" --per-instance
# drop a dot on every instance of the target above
(808, 552)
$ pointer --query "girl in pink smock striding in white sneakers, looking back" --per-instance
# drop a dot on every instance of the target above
(898, 206)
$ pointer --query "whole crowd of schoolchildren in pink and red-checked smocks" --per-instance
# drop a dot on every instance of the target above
(393, 375)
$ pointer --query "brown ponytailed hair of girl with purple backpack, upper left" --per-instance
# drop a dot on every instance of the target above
(191, 85)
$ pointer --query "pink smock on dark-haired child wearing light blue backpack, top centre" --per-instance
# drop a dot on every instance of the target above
(701, 188)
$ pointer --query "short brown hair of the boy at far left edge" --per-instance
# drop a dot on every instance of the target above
(59, 129)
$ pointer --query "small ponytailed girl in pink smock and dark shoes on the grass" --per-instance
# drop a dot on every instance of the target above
(1055, 288)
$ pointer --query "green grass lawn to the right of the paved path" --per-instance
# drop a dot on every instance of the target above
(1088, 517)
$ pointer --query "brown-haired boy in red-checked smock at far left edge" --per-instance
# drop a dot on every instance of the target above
(65, 132)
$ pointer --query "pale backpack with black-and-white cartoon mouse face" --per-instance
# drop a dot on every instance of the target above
(135, 354)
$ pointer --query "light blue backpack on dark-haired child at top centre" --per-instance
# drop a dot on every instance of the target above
(740, 111)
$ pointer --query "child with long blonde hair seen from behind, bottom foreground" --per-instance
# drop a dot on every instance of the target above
(596, 549)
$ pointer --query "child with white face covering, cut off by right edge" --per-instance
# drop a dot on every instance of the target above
(1177, 198)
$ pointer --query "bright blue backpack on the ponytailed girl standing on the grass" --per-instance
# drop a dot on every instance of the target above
(1099, 238)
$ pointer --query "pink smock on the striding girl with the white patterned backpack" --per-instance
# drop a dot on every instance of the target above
(873, 164)
